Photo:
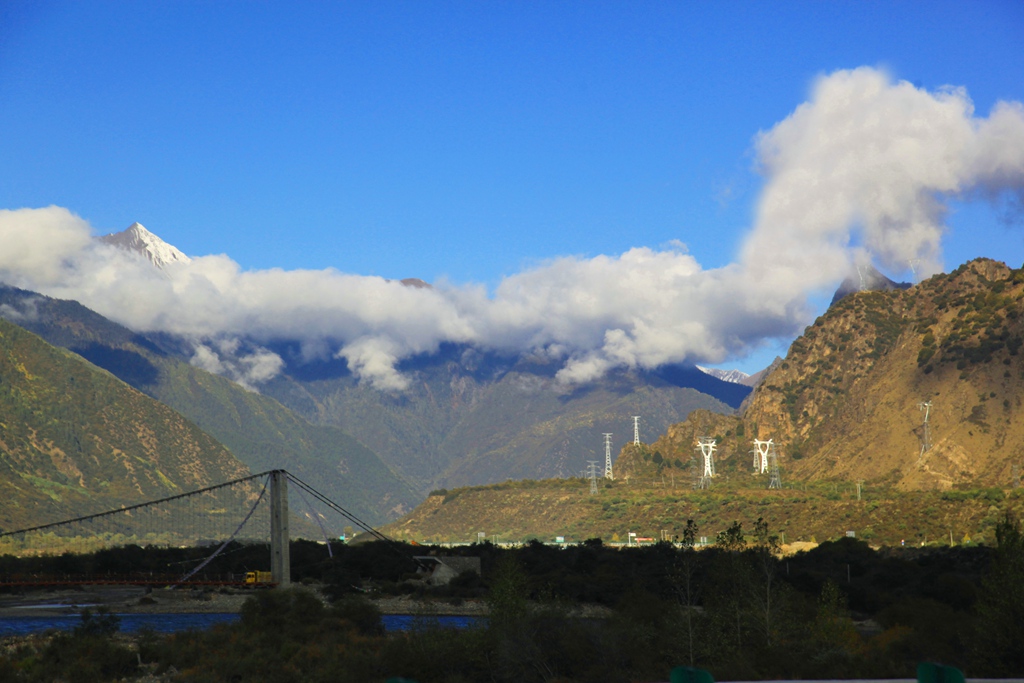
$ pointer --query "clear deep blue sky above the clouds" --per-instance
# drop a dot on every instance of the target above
(454, 141)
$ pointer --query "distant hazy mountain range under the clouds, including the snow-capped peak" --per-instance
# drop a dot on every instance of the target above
(470, 416)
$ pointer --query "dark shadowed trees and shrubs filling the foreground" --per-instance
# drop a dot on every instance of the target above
(842, 611)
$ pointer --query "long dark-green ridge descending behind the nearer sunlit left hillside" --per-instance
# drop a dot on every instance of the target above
(259, 431)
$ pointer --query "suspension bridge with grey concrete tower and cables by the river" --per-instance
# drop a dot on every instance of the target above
(249, 511)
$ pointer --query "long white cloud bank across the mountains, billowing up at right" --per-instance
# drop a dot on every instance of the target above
(860, 173)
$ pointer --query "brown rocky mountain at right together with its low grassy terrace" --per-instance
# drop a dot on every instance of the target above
(843, 412)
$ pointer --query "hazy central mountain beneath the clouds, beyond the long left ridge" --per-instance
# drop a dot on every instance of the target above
(474, 416)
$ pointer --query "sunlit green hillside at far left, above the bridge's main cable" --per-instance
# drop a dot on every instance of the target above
(75, 440)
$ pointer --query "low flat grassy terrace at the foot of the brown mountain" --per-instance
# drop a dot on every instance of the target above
(802, 511)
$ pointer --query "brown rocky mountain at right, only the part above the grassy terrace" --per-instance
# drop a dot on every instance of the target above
(847, 404)
